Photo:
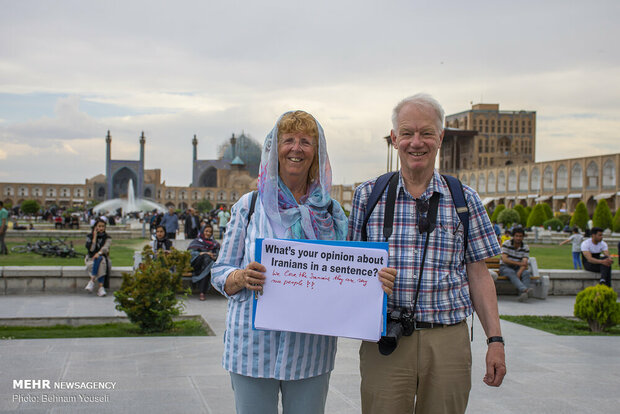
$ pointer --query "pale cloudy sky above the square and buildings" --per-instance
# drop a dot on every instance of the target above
(72, 70)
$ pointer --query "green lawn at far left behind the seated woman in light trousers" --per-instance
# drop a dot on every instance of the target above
(121, 253)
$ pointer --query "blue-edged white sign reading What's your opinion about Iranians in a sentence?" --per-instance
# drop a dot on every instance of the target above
(322, 287)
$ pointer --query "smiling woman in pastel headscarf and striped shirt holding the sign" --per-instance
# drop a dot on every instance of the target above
(293, 203)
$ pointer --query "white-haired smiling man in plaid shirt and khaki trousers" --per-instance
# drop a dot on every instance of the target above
(439, 282)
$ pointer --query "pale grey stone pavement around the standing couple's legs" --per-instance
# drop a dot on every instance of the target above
(546, 373)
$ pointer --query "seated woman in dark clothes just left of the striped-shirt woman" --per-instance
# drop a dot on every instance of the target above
(204, 250)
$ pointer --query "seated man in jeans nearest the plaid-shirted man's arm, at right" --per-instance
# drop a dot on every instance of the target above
(514, 263)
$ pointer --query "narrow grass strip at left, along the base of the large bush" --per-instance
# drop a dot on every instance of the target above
(181, 328)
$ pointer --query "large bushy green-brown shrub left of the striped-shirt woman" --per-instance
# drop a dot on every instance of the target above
(150, 295)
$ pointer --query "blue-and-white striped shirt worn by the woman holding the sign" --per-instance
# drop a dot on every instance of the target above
(262, 353)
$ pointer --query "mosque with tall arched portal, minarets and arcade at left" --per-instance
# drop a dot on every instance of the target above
(221, 182)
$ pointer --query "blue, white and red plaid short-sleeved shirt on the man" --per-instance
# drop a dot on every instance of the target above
(444, 291)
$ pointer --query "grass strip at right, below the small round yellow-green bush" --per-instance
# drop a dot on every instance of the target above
(559, 325)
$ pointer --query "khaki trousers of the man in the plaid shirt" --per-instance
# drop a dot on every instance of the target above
(429, 372)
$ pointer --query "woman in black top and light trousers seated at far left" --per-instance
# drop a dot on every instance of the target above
(97, 258)
